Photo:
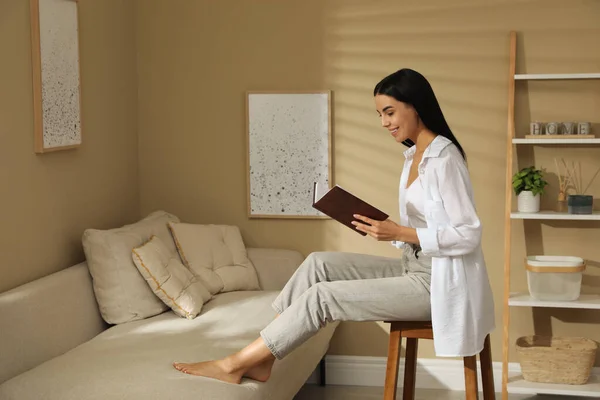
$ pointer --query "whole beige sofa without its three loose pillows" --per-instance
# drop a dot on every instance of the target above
(55, 343)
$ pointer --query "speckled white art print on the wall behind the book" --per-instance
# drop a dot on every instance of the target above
(288, 152)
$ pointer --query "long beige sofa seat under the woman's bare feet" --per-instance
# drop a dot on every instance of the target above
(134, 360)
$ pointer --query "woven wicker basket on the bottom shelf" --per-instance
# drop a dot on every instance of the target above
(567, 360)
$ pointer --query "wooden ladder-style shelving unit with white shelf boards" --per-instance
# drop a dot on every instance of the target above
(516, 384)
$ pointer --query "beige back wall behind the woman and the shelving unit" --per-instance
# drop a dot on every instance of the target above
(196, 64)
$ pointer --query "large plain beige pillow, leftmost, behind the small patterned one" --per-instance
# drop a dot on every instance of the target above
(121, 292)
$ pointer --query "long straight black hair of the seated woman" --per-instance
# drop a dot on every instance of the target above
(409, 86)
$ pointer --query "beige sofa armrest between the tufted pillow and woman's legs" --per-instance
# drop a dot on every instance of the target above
(274, 266)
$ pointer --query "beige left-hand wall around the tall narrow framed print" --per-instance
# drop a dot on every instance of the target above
(48, 200)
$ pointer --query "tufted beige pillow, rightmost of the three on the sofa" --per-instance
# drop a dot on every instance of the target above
(217, 255)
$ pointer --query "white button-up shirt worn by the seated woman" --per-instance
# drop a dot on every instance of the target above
(462, 304)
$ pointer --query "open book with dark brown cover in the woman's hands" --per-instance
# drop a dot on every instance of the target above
(341, 205)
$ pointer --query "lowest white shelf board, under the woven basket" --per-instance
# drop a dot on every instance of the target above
(521, 386)
